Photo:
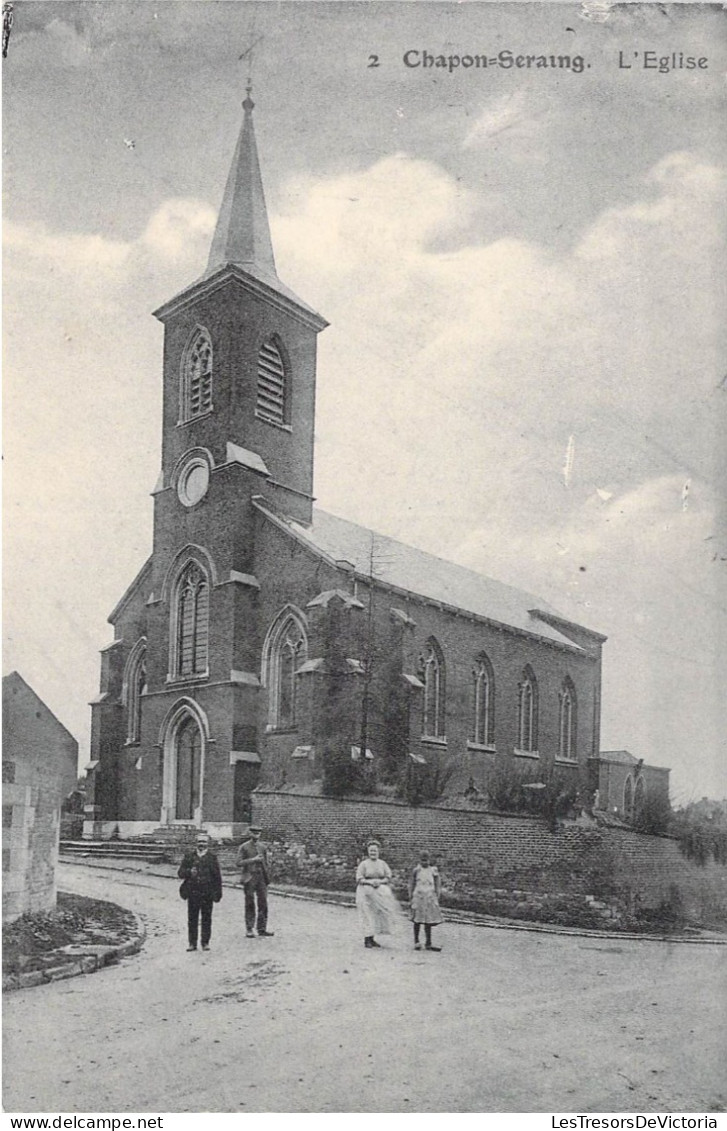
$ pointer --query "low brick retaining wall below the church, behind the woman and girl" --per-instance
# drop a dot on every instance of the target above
(492, 850)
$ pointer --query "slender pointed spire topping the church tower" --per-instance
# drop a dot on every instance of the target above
(243, 235)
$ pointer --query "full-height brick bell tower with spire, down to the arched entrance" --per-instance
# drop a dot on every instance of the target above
(238, 424)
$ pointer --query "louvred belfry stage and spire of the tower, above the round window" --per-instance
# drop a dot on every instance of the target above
(240, 358)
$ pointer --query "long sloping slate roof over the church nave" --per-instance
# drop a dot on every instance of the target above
(423, 575)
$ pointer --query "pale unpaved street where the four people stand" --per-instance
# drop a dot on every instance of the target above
(310, 1022)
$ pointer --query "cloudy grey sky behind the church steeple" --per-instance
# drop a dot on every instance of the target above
(524, 273)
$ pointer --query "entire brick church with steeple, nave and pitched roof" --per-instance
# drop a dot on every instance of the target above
(265, 636)
